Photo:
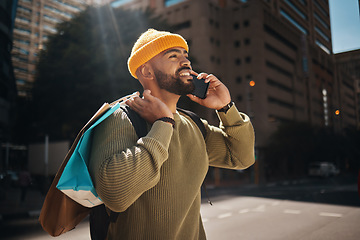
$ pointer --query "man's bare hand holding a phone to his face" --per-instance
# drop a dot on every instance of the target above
(217, 95)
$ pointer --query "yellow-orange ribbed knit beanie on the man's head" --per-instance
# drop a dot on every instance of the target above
(150, 44)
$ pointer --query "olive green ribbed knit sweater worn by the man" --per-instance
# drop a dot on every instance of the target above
(155, 181)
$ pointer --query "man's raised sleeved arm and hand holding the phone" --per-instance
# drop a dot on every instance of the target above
(232, 144)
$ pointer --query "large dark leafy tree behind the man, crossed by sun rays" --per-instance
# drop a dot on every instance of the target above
(85, 65)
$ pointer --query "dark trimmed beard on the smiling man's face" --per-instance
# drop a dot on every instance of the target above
(174, 84)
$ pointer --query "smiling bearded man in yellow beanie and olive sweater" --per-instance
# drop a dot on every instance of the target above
(154, 182)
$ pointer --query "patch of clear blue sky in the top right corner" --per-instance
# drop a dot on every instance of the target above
(345, 25)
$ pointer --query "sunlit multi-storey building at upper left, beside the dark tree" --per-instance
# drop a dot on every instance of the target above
(35, 21)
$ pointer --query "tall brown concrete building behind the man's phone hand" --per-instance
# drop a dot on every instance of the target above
(281, 47)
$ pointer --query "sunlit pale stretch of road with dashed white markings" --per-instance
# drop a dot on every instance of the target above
(260, 218)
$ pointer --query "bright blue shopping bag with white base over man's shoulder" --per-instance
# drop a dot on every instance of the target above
(75, 181)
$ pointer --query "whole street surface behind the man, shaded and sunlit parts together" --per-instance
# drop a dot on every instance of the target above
(310, 209)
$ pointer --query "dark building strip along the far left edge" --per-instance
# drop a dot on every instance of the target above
(7, 79)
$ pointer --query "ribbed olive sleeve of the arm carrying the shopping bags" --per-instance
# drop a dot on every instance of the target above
(123, 166)
